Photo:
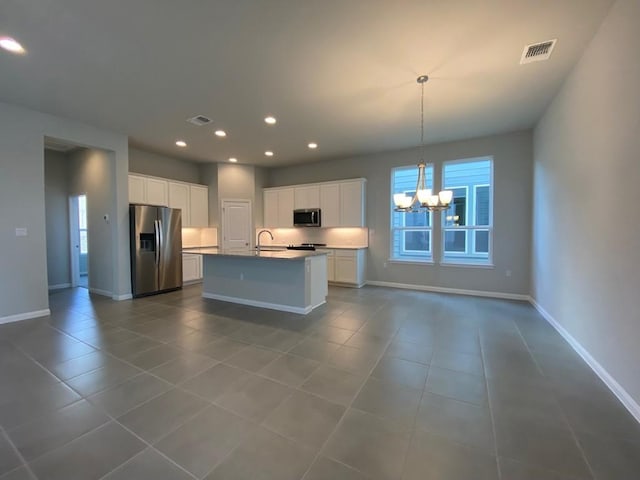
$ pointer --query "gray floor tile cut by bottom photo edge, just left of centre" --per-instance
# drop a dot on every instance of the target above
(265, 456)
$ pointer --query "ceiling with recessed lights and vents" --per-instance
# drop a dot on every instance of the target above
(338, 72)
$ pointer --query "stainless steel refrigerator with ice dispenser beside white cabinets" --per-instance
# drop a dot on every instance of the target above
(156, 249)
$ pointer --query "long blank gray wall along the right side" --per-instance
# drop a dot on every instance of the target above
(586, 235)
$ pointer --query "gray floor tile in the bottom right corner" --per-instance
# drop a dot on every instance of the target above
(611, 459)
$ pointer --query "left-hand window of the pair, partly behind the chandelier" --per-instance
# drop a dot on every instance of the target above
(410, 232)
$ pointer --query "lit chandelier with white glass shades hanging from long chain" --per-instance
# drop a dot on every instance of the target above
(423, 197)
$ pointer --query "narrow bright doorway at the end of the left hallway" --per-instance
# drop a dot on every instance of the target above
(79, 241)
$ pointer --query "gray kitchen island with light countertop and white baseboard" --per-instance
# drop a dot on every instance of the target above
(287, 280)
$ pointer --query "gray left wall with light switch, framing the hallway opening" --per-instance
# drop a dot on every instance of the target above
(23, 263)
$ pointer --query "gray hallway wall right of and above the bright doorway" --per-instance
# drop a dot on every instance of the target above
(90, 174)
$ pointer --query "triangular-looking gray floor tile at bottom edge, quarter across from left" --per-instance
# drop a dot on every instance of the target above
(148, 465)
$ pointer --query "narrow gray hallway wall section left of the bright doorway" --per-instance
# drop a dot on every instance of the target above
(56, 191)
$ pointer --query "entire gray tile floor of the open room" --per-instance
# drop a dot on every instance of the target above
(377, 384)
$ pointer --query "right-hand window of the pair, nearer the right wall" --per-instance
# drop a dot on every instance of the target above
(466, 224)
